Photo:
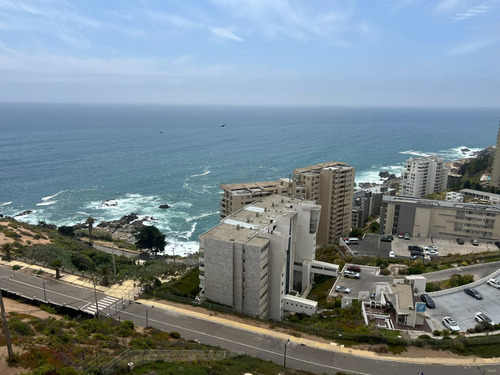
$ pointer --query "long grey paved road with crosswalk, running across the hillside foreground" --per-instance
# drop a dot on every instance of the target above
(266, 345)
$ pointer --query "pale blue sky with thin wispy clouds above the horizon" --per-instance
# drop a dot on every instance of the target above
(252, 52)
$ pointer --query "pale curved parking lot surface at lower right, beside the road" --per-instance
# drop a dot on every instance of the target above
(462, 307)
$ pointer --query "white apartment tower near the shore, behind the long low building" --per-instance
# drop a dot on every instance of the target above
(423, 176)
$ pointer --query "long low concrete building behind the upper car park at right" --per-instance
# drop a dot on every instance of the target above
(439, 219)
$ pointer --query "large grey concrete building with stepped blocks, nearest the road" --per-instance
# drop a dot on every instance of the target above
(261, 254)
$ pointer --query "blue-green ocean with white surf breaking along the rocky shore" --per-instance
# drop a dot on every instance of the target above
(67, 162)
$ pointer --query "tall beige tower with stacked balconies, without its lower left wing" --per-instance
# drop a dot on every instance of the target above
(331, 185)
